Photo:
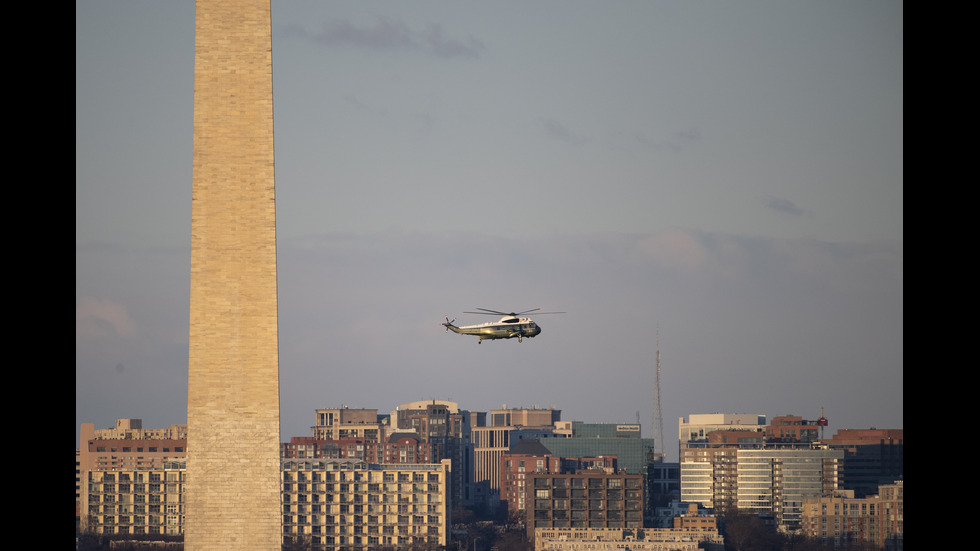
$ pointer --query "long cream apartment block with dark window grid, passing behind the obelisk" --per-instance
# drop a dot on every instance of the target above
(328, 504)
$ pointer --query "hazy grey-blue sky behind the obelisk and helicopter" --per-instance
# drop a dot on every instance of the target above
(728, 175)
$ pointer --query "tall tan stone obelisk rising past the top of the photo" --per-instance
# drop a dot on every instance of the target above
(233, 474)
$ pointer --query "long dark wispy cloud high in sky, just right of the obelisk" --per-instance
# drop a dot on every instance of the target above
(391, 35)
